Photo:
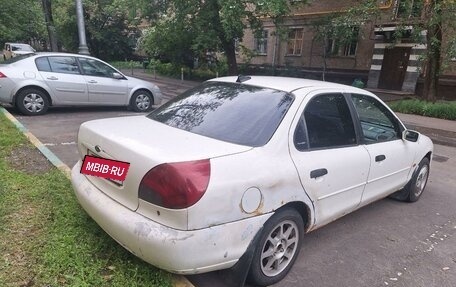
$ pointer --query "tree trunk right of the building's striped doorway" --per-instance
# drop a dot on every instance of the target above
(434, 46)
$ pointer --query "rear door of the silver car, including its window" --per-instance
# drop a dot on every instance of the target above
(62, 75)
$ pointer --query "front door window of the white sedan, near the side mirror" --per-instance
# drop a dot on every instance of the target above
(377, 122)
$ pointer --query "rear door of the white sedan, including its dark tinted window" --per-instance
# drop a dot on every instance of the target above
(332, 167)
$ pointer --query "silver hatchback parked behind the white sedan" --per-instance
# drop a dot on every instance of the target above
(34, 82)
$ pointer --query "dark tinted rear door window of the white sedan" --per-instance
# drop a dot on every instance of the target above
(328, 121)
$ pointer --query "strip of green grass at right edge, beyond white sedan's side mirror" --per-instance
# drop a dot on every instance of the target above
(443, 110)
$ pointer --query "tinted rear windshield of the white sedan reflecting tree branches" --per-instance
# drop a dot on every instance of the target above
(232, 112)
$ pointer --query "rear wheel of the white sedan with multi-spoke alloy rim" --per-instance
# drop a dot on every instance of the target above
(278, 248)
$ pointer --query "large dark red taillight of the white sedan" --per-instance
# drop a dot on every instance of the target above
(176, 185)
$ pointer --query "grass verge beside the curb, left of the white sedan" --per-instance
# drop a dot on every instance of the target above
(46, 239)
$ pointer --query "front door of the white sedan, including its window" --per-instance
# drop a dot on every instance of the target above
(391, 156)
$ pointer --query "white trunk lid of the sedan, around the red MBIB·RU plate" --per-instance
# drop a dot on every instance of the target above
(144, 143)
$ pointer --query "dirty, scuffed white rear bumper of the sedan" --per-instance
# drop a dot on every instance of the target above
(177, 251)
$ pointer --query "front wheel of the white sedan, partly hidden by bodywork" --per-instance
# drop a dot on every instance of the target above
(415, 187)
